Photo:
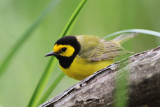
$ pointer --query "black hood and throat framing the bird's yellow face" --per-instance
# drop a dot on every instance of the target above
(65, 62)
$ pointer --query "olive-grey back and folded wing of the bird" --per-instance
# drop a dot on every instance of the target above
(96, 49)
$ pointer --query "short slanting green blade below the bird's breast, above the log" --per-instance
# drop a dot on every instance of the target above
(52, 87)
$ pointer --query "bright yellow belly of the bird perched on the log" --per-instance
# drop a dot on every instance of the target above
(81, 68)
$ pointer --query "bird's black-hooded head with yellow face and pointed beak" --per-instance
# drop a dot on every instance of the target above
(65, 49)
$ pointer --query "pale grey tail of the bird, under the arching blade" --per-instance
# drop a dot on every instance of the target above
(124, 37)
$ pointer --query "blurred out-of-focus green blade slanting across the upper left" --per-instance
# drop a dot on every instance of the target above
(25, 36)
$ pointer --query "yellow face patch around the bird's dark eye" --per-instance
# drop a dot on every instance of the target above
(64, 50)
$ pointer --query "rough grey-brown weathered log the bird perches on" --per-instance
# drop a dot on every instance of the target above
(98, 90)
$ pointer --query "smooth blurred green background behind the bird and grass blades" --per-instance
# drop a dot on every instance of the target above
(98, 17)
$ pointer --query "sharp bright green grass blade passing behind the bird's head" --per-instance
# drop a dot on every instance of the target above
(41, 85)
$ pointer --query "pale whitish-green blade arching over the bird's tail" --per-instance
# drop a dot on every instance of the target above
(144, 31)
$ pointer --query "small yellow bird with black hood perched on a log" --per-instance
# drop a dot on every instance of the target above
(81, 56)
